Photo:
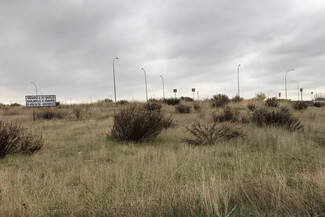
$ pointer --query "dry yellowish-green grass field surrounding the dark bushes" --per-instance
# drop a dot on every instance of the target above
(80, 172)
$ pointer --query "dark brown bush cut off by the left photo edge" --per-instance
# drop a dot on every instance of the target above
(14, 140)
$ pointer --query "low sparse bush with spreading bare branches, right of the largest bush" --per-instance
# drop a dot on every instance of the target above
(211, 134)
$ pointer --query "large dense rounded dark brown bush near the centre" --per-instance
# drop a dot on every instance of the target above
(135, 123)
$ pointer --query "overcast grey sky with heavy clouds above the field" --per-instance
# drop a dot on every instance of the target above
(67, 47)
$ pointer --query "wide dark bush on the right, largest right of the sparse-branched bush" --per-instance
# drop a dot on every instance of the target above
(279, 118)
